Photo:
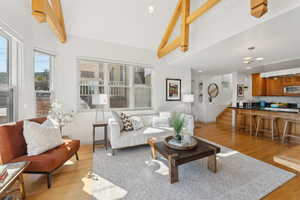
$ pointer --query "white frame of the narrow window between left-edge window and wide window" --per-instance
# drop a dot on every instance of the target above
(51, 74)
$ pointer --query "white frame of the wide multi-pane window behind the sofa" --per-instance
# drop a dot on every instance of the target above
(131, 86)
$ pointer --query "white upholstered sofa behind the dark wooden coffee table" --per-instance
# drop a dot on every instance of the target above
(122, 139)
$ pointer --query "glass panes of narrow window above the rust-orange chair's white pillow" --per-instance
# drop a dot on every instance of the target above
(43, 65)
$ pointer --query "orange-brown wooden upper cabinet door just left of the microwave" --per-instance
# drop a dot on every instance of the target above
(274, 86)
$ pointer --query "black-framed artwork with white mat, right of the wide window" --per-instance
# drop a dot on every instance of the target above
(173, 90)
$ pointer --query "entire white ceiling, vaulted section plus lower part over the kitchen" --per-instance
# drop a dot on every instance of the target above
(218, 41)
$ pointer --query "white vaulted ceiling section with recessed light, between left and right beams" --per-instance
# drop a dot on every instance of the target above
(125, 22)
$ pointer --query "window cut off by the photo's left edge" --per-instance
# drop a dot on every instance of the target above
(6, 89)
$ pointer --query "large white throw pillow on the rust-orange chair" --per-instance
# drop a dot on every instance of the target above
(40, 138)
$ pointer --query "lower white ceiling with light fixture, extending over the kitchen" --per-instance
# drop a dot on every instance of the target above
(277, 40)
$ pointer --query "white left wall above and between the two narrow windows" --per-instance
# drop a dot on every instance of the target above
(15, 17)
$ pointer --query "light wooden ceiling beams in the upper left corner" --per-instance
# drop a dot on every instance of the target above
(43, 11)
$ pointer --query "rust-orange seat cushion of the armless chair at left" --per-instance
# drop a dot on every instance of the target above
(52, 159)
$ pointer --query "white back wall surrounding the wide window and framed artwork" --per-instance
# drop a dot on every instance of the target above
(66, 78)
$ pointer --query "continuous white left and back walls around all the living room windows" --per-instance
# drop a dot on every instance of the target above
(17, 15)
